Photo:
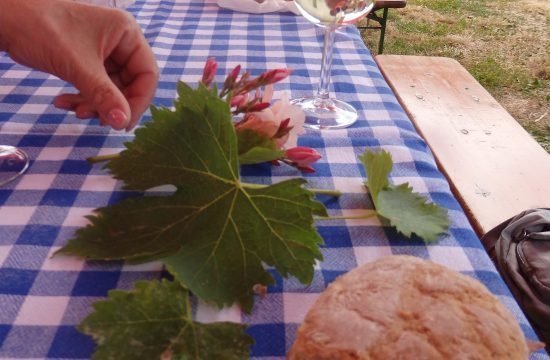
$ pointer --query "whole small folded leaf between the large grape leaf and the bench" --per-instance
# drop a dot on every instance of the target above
(407, 211)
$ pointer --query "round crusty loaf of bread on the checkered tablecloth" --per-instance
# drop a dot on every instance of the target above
(402, 307)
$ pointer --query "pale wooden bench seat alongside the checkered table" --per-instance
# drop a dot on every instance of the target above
(495, 168)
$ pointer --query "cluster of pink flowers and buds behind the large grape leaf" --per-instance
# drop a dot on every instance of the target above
(266, 132)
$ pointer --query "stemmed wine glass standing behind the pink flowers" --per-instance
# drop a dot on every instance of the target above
(322, 111)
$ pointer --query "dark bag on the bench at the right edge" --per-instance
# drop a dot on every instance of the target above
(520, 248)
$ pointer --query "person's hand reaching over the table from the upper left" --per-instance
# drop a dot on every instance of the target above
(101, 51)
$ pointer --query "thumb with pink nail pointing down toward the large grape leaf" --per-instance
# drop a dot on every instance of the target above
(106, 98)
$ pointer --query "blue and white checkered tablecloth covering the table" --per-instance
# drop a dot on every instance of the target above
(43, 298)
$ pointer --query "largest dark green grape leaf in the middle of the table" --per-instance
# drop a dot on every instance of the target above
(215, 233)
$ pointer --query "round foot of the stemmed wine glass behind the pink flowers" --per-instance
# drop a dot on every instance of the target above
(326, 114)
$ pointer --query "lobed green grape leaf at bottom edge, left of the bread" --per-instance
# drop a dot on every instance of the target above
(153, 321)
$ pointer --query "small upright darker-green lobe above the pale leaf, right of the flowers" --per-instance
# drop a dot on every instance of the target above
(378, 166)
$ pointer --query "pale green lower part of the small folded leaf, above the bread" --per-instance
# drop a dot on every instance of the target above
(411, 213)
